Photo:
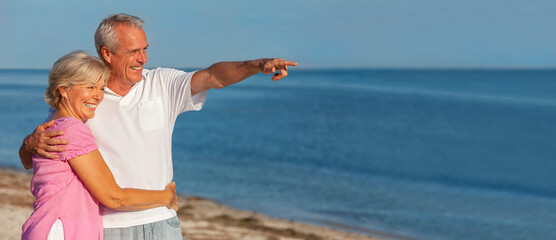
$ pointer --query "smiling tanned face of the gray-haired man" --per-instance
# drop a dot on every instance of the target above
(130, 57)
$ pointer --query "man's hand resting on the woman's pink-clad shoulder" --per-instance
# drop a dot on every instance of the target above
(41, 142)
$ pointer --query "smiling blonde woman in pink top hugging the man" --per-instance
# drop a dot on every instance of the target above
(68, 190)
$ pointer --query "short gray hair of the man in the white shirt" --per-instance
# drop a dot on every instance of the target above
(106, 31)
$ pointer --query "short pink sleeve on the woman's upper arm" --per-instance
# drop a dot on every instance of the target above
(81, 140)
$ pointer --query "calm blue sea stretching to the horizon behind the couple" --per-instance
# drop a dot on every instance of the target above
(390, 153)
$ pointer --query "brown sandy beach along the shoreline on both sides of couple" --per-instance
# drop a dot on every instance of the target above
(200, 218)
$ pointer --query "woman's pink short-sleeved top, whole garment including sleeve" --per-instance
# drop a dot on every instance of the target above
(60, 193)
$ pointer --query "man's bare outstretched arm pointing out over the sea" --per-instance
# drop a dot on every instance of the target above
(224, 74)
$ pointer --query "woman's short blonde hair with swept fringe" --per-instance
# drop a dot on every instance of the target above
(74, 69)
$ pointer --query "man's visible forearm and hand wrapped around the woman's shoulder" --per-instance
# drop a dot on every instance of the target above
(41, 143)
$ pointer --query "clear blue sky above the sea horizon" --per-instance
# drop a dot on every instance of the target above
(317, 34)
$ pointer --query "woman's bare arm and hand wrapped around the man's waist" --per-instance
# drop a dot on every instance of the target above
(98, 178)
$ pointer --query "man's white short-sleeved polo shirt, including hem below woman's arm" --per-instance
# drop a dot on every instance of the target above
(134, 135)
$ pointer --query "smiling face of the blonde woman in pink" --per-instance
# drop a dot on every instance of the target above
(83, 99)
